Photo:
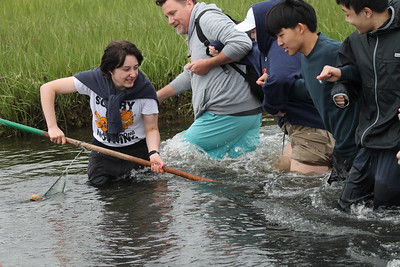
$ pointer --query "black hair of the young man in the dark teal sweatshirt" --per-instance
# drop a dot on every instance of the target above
(287, 14)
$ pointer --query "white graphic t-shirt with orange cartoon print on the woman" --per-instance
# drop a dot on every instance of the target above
(132, 112)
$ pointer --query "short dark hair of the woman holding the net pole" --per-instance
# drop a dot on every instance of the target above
(115, 54)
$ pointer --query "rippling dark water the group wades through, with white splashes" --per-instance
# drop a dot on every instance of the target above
(255, 217)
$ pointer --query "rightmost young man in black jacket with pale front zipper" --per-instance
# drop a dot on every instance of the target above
(371, 55)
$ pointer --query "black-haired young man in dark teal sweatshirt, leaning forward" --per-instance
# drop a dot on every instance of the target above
(294, 22)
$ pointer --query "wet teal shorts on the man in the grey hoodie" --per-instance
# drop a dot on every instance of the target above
(221, 135)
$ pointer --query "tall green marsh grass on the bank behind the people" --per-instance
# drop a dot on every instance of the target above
(43, 40)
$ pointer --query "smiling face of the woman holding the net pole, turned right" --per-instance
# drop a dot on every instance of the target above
(125, 76)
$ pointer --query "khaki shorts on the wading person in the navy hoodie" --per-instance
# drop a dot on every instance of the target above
(310, 146)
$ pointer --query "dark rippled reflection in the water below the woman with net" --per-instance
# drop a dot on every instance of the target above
(134, 218)
